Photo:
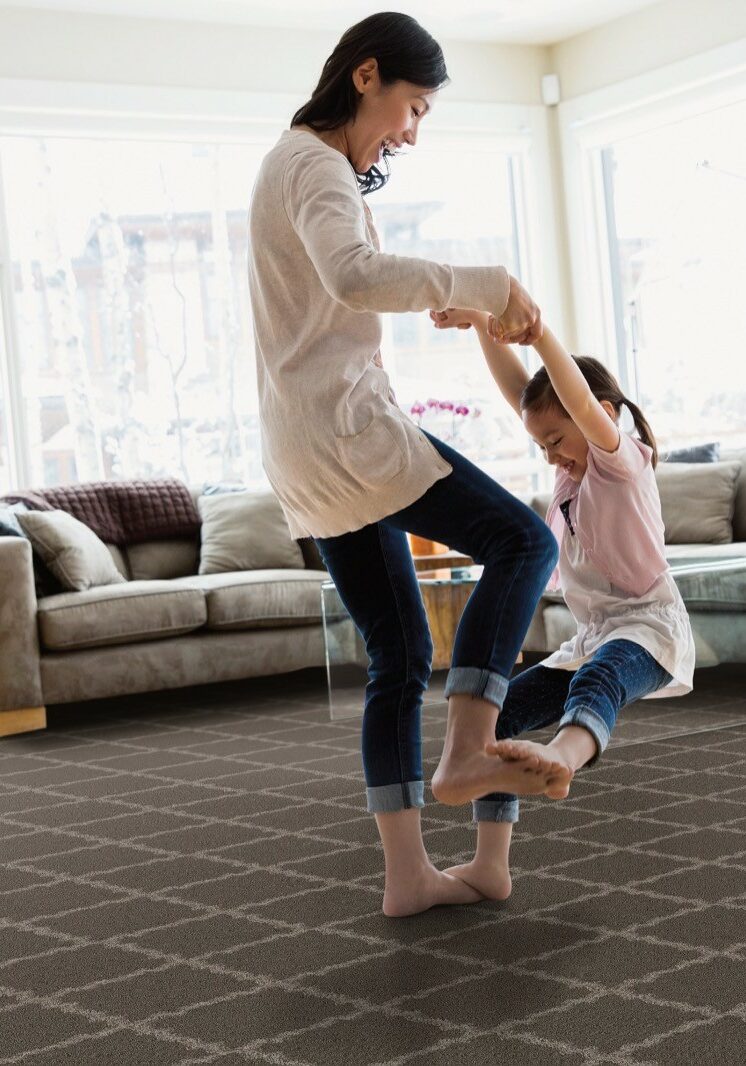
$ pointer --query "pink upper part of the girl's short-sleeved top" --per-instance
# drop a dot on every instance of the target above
(615, 512)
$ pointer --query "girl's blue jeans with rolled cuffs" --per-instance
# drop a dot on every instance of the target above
(592, 697)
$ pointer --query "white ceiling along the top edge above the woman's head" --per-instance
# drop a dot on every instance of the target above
(511, 22)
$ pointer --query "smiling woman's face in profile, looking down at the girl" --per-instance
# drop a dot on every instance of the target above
(387, 117)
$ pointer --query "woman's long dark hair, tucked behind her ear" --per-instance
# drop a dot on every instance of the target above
(406, 52)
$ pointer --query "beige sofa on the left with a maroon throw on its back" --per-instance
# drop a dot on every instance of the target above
(166, 627)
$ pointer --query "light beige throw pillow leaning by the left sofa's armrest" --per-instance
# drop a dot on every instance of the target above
(72, 552)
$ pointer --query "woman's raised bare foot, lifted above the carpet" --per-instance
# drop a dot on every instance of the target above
(465, 777)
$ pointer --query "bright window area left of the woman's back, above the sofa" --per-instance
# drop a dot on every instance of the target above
(135, 332)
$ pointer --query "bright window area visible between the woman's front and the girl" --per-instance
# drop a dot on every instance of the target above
(456, 203)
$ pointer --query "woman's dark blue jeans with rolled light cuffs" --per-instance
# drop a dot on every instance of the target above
(374, 571)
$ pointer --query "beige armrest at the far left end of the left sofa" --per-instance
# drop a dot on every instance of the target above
(21, 683)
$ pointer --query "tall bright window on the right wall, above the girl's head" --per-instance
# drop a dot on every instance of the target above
(675, 199)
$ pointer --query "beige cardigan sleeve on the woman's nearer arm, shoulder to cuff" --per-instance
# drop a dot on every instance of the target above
(322, 202)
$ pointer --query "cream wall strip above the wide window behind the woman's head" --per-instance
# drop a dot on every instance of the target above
(99, 49)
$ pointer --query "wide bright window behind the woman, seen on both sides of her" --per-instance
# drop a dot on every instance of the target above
(134, 349)
